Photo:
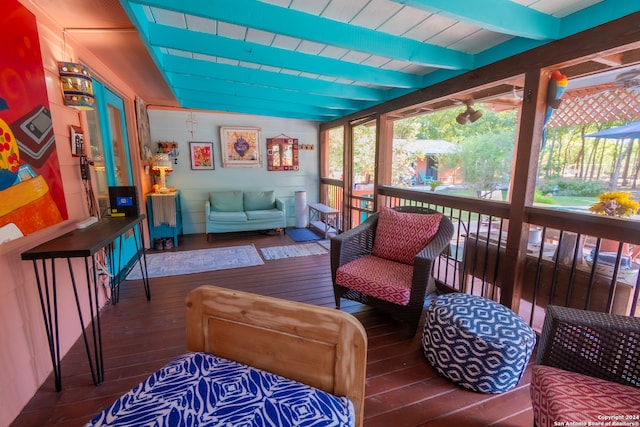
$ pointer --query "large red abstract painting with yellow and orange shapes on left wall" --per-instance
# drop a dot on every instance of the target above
(31, 192)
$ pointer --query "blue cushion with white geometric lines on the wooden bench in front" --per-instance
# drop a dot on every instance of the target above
(200, 389)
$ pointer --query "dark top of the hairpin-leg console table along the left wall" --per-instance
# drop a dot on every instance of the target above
(83, 242)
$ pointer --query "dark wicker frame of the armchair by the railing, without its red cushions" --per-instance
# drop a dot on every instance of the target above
(359, 241)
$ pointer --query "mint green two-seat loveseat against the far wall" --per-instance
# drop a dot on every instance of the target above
(229, 211)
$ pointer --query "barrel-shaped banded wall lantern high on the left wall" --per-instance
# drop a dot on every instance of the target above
(77, 86)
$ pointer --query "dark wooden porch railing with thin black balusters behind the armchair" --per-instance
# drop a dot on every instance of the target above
(563, 257)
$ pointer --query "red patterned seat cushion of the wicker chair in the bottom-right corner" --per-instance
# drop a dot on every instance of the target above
(560, 396)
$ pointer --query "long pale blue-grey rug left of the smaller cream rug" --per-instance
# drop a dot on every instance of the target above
(198, 261)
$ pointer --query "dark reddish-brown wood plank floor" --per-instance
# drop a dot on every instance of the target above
(139, 337)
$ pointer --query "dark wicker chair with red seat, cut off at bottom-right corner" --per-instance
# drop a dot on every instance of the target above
(587, 367)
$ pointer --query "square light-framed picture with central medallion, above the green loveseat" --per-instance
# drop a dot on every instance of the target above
(240, 147)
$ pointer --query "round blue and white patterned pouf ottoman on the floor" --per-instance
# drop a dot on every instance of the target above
(476, 342)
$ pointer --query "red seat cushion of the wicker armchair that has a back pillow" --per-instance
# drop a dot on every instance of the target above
(377, 277)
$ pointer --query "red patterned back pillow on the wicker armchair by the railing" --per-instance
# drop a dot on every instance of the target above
(401, 235)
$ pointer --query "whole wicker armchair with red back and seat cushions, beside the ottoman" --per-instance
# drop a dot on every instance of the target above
(387, 261)
